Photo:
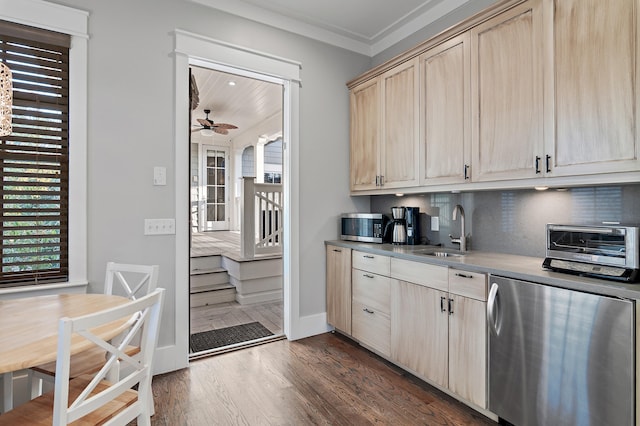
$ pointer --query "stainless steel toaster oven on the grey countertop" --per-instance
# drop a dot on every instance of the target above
(604, 251)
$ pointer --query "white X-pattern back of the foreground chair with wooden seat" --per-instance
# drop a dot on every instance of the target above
(94, 394)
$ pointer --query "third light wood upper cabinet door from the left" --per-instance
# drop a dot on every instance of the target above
(445, 116)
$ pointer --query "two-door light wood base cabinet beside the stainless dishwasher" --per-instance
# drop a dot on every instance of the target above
(442, 336)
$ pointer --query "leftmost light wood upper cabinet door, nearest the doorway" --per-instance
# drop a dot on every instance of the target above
(365, 135)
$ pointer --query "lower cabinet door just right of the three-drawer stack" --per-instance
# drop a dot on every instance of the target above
(419, 331)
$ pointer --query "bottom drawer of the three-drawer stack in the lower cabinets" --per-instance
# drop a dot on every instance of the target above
(371, 328)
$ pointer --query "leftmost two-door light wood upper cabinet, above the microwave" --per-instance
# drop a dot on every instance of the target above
(385, 130)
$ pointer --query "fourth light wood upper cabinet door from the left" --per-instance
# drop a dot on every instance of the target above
(507, 94)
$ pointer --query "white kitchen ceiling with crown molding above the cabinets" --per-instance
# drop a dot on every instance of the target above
(364, 26)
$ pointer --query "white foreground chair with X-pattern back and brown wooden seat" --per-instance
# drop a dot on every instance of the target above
(92, 399)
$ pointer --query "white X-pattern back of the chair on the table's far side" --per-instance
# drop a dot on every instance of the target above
(134, 280)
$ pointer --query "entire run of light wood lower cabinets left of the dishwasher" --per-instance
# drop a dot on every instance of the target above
(429, 319)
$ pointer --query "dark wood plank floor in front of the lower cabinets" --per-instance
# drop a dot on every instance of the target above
(325, 379)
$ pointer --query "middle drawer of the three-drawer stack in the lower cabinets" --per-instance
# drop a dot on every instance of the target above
(371, 290)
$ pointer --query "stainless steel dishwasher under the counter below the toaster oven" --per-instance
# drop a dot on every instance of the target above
(559, 357)
